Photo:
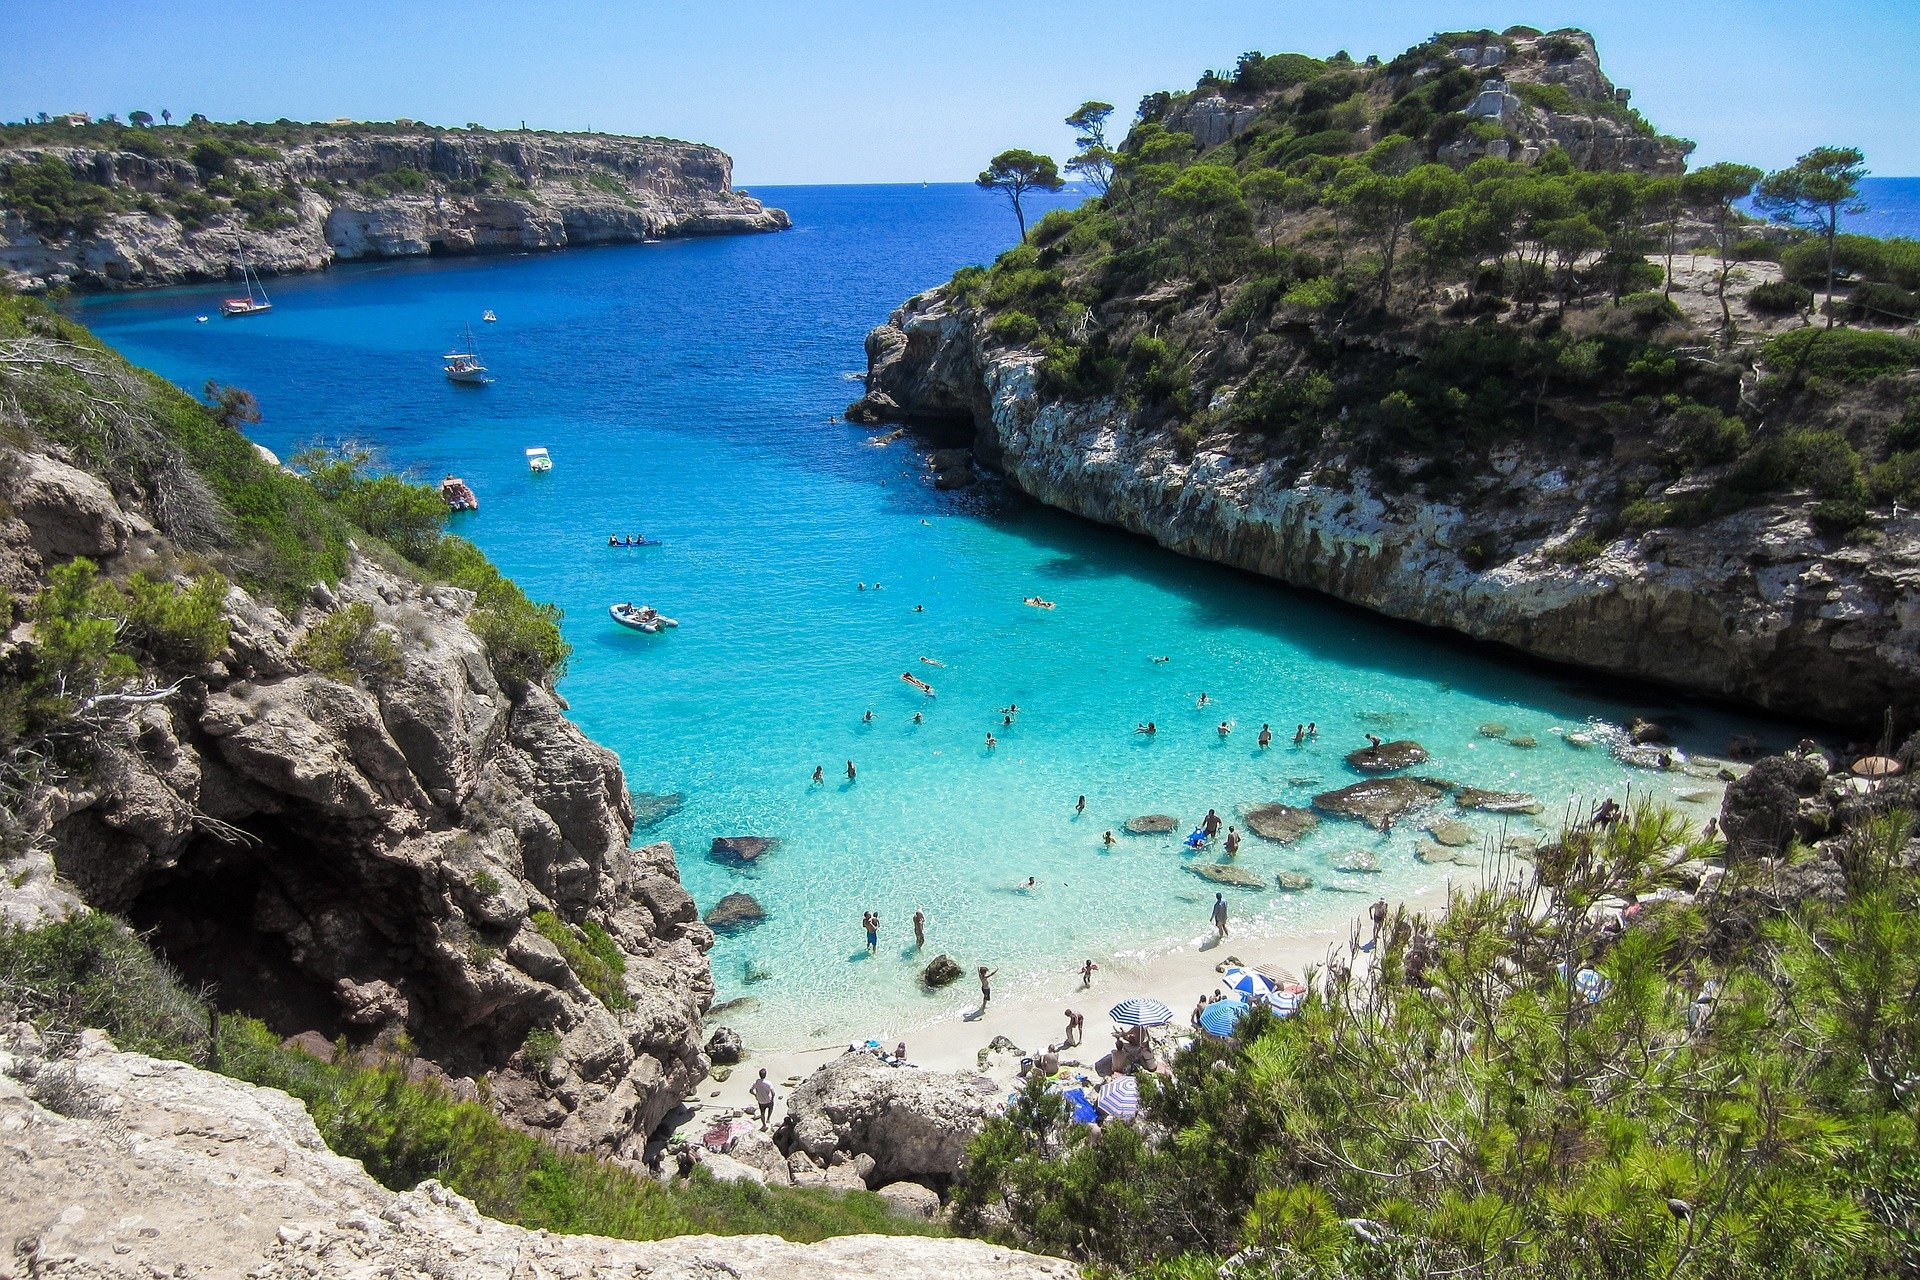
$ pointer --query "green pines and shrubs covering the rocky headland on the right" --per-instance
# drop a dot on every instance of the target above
(1406, 266)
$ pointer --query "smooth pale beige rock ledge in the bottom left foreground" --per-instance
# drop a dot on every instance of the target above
(158, 1170)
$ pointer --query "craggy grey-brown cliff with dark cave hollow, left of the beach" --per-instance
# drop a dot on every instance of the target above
(389, 859)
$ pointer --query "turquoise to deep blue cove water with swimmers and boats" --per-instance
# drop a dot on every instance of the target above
(684, 391)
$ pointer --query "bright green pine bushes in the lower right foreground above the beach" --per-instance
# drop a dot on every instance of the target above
(1731, 1097)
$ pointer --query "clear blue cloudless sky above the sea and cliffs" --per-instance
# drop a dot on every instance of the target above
(909, 91)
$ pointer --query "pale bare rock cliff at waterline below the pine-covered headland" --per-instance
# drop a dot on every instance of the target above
(1754, 607)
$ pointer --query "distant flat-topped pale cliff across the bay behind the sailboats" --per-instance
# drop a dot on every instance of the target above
(343, 197)
